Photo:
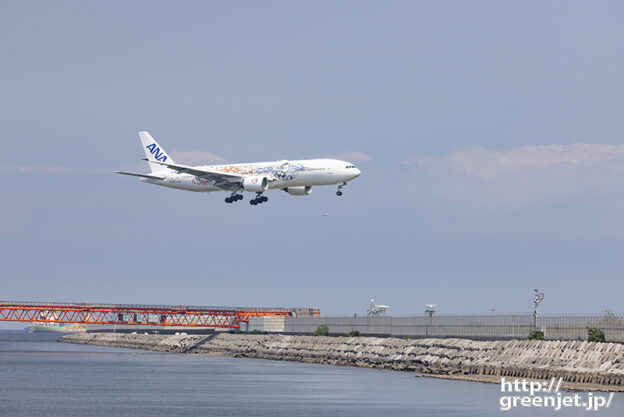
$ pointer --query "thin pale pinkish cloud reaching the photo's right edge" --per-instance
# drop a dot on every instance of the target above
(521, 176)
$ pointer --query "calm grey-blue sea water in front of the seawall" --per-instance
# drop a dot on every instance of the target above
(41, 377)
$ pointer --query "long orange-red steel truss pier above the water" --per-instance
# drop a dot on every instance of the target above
(137, 314)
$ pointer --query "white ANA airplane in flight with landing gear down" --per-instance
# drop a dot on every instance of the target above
(295, 177)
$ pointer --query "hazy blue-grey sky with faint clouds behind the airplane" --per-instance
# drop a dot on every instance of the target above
(489, 135)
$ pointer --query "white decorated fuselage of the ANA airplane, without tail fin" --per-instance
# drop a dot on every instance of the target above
(302, 173)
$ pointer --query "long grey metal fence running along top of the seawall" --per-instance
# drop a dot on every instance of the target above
(471, 326)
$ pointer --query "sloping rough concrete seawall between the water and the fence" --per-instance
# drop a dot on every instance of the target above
(582, 365)
